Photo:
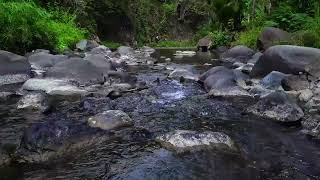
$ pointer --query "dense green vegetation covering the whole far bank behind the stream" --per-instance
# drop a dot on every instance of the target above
(59, 24)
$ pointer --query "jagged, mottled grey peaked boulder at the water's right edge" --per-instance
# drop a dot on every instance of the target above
(277, 106)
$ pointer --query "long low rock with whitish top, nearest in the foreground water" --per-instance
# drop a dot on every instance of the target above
(183, 140)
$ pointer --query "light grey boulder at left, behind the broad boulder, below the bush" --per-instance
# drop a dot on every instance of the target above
(43, 60)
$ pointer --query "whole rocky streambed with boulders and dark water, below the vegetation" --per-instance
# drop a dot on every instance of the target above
(159, 114)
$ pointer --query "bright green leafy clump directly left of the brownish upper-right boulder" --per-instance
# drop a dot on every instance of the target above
(248, 38)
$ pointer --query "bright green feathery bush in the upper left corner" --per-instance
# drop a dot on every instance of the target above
(24, 26)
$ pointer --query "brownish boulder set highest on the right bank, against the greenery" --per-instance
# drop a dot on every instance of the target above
(271, 36)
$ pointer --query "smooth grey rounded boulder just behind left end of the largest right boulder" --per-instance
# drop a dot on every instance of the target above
(238, 54)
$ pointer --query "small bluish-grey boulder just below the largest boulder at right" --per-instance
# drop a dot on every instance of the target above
(273, 80)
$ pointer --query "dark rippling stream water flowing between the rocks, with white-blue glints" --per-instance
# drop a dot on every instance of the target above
(269, 150)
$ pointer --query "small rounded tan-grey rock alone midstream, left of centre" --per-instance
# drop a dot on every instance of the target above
(109, 120)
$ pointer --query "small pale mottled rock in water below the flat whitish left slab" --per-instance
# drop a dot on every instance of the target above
(35, 101)
